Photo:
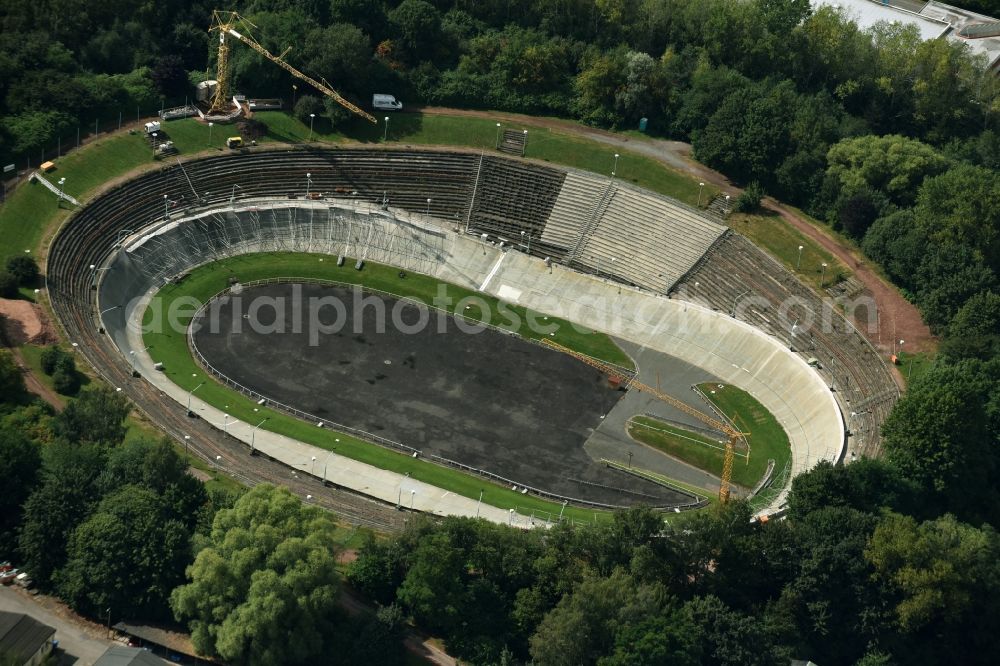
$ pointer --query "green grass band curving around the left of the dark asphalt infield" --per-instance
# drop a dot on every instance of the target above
(170, 348)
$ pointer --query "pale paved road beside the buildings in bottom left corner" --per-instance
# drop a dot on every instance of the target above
(80, 642)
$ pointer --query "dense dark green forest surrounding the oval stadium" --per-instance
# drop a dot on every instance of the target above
(892, 141)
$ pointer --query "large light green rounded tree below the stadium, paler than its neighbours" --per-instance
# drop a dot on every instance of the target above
(263, 590)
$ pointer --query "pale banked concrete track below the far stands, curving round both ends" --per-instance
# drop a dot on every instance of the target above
(730, 349)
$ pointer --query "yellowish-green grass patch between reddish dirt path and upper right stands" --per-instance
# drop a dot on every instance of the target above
(782, 241)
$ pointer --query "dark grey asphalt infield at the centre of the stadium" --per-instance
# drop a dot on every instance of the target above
(489, 399)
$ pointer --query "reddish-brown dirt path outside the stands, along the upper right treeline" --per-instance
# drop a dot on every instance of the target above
(896, 313)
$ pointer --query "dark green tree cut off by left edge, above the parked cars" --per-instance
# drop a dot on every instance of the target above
(20, 462)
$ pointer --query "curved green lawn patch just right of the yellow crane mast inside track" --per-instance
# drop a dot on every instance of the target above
(767, 439)
